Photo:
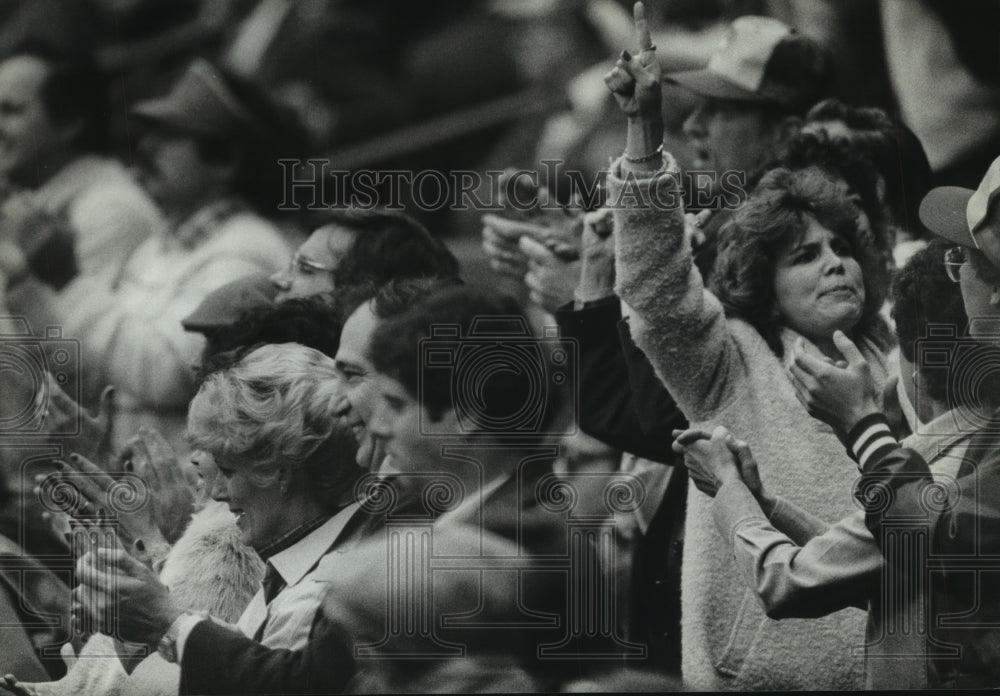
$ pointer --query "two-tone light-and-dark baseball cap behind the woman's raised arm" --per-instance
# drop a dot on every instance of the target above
(762, 59)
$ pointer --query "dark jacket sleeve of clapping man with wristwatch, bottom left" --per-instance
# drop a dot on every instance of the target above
(218, 660)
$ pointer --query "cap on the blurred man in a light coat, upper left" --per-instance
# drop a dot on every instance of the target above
(200, 103)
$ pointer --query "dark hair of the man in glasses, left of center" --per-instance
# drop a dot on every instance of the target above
(388, 245)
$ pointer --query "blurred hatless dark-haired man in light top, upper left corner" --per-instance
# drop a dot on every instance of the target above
(69, 207)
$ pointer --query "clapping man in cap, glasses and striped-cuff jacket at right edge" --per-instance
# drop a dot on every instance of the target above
(959, 523)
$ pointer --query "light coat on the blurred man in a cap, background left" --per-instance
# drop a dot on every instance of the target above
(131, 335)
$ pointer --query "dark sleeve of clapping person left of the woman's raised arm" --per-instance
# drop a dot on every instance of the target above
(608, 410)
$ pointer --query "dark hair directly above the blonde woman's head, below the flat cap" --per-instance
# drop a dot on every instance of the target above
(309, 321)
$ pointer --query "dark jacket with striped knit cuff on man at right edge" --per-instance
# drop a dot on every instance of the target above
(949, 527)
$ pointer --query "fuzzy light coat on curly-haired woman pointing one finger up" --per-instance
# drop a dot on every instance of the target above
(722, 372)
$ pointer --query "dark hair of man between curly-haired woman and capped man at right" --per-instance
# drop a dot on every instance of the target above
(923, 294)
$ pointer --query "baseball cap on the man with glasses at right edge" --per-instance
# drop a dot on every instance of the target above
(958, 214)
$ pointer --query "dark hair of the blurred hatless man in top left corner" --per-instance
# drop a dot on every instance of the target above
(75, 90)
